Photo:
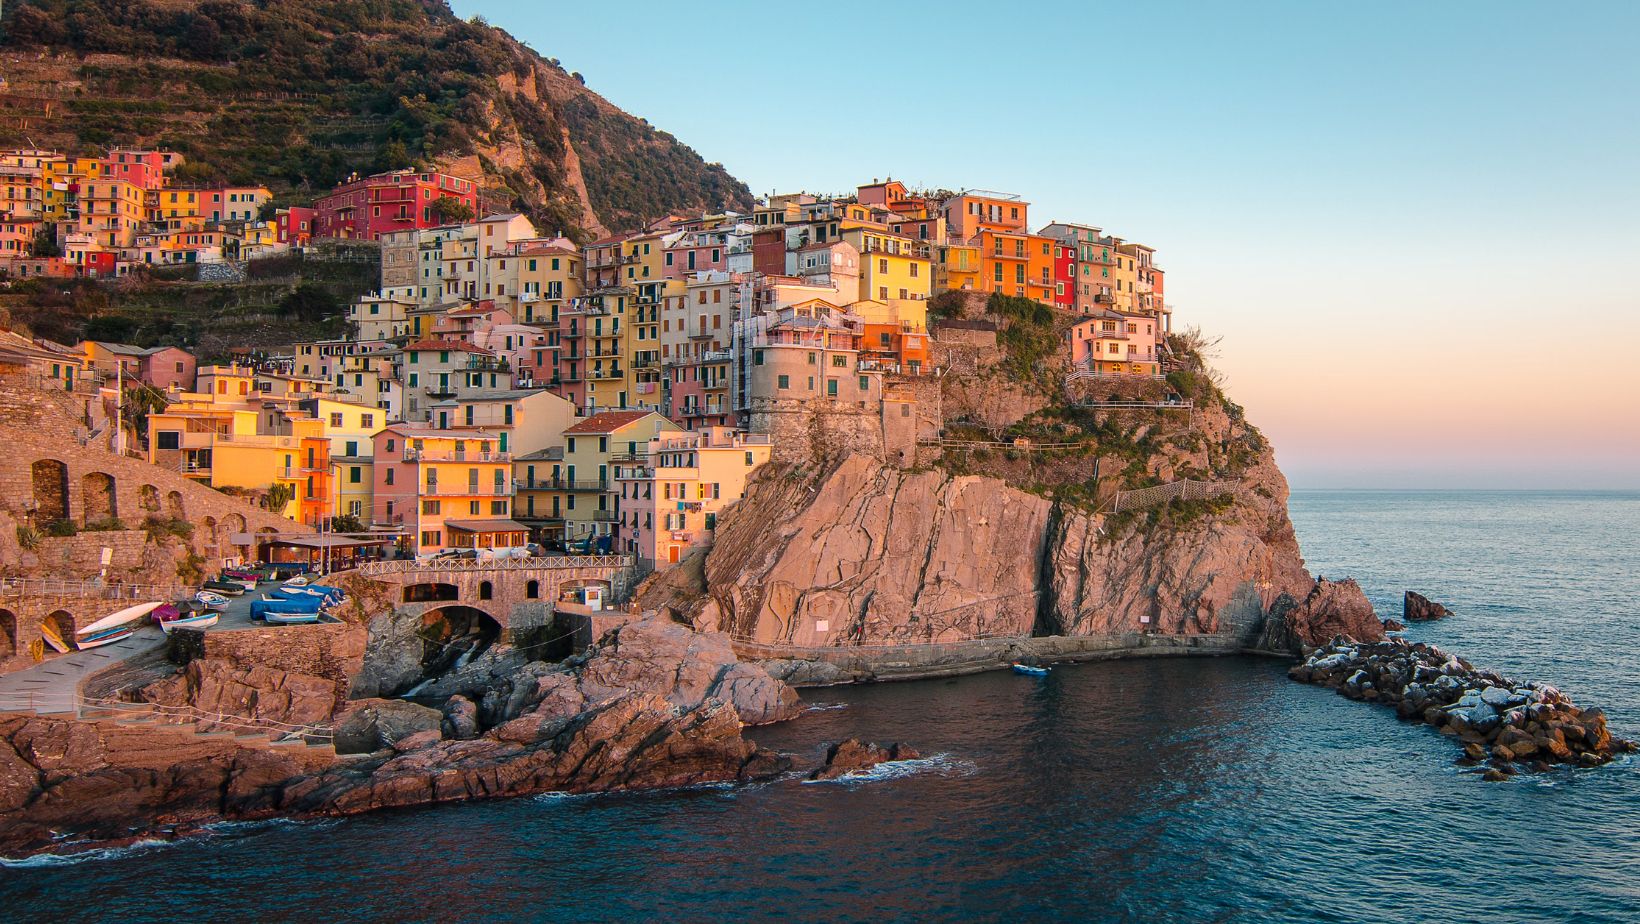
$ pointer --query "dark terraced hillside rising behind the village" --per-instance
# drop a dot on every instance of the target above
(298, 94)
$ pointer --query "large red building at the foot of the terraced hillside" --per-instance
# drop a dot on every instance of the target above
(401, 201)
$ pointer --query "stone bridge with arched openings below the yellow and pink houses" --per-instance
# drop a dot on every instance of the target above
(516, 593)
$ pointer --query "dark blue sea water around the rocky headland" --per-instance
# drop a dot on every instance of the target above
(1187, 790)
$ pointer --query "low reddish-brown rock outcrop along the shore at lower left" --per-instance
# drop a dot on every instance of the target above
(654, 705)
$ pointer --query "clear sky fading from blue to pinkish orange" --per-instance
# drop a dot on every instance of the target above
(1414, 226)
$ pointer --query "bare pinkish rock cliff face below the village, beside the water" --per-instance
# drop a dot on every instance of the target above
(867, 554)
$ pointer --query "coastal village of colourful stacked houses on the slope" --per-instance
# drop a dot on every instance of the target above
(509, 388)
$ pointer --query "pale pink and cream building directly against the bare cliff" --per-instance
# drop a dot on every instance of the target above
(672, 505)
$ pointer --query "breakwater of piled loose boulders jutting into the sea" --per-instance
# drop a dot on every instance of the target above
(1500, 723)
